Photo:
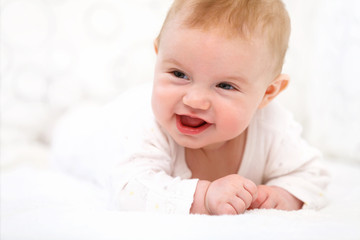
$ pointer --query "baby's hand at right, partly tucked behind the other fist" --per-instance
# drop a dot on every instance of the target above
(275, 197)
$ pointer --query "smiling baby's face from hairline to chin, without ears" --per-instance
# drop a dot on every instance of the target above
(207, 87)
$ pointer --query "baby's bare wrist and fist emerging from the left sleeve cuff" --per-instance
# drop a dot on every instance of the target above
(231, 194)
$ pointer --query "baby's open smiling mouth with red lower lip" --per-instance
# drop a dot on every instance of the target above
(191, 125)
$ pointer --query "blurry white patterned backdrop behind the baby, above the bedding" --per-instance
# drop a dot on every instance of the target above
(61, 54)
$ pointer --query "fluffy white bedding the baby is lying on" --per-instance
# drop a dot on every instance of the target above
(43, 204)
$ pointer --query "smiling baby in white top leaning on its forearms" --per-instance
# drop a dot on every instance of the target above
(218, 144)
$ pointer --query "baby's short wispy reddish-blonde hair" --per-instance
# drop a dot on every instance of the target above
(238, 18)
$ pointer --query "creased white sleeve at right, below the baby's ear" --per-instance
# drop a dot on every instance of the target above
(296, 166)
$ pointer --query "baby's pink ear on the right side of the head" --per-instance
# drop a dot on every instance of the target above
(275, 87)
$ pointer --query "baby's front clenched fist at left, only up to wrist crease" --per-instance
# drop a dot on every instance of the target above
(231, 194)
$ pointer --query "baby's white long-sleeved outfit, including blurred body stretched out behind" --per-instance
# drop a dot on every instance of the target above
(126, 149)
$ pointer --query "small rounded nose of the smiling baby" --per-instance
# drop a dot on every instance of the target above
(197, 99)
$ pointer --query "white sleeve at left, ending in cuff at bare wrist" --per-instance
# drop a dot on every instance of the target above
(144, 183)
